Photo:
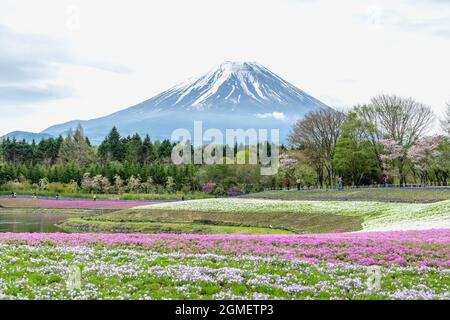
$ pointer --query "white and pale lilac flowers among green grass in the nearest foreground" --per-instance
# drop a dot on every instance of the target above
(41, 272)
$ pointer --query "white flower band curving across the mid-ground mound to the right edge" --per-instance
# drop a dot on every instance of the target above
(377, 216)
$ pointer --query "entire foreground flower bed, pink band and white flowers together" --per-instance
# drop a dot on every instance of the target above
(411, 265)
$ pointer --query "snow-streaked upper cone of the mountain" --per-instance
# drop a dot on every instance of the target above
(233, 83)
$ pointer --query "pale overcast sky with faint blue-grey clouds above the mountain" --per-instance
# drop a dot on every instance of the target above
(78, 59)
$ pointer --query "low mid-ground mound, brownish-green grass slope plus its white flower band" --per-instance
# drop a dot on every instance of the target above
(292, 216)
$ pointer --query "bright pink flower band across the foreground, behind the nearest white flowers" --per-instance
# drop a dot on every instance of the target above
(404, 248)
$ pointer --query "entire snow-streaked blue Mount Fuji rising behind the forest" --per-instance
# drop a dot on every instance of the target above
(234, 95)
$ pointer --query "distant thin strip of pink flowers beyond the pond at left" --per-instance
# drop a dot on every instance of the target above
(88, 204)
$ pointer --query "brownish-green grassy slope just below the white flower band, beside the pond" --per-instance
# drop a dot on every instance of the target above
(160, 221)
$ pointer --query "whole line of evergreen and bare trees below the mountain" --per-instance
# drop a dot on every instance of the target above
(385, 138)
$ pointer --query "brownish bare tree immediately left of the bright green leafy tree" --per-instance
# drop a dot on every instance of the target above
(317, 133)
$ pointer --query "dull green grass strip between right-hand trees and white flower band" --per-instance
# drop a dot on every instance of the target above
(364, 194)
